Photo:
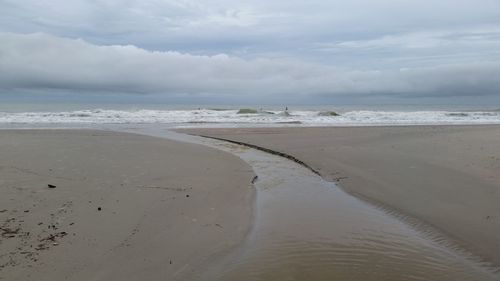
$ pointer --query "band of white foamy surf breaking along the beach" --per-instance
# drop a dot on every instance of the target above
(231, 117)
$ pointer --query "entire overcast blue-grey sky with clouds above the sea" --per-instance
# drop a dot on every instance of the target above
(357, 51)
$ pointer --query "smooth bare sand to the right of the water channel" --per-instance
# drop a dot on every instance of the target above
(446, 176)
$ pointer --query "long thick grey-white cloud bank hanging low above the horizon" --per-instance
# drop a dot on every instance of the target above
(41, 61)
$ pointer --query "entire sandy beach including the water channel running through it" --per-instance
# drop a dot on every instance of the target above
(144, 203)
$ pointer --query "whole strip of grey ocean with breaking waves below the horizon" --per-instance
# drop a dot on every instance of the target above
(12, 114)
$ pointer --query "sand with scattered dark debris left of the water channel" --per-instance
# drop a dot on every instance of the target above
(124, 206)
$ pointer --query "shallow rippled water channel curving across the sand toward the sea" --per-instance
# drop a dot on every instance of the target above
(306, 228)
